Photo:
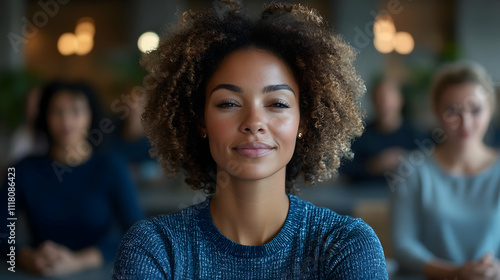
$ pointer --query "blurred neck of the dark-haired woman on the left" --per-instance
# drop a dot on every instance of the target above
(72, 154)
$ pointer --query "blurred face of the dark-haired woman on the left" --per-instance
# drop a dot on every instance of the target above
(68, 118)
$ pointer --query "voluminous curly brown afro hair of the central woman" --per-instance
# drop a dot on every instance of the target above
(187, 57)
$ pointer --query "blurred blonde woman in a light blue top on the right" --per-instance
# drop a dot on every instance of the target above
(446, 213)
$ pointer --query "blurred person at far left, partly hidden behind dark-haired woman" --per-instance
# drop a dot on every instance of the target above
(25, 141)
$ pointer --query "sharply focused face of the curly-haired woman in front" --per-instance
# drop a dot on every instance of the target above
(252, 114)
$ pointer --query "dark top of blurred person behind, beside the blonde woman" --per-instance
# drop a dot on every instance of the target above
(372, 143)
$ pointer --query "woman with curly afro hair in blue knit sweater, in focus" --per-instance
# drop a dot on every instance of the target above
(245, 108)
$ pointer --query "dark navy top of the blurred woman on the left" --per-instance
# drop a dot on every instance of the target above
(91, 204)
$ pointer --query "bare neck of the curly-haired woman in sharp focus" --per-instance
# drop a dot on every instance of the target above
(250, 212)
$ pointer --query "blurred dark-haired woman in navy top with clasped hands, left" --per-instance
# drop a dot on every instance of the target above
(78, 201)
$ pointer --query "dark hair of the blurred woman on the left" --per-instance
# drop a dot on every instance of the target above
(51, 89)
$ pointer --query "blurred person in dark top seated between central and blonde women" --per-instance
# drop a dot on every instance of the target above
(385, 141)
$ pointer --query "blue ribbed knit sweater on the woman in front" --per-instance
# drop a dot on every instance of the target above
(314, 243)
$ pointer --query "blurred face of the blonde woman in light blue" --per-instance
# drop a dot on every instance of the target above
(465, 112)
